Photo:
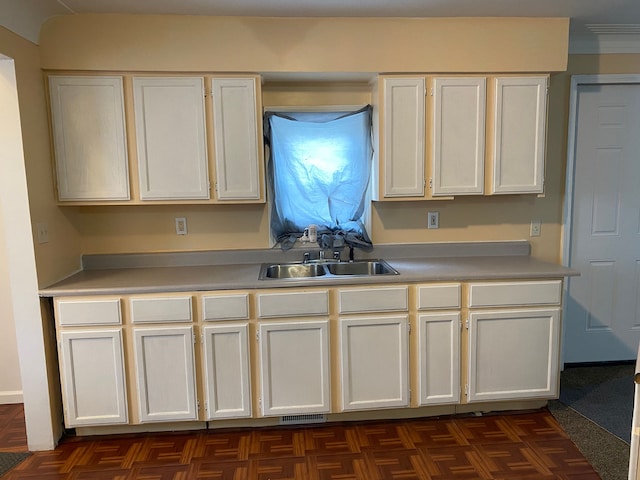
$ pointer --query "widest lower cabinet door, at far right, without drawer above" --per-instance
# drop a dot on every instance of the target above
(513, 354)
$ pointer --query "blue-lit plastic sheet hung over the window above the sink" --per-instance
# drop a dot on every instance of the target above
(319, 171)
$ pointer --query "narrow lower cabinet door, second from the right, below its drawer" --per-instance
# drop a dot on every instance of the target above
(439, 367)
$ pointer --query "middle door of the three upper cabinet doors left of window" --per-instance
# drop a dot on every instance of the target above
(171, 140)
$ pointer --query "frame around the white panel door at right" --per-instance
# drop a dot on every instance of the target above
(576, 82)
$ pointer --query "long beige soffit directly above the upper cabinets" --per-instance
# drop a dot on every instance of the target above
(257, 44)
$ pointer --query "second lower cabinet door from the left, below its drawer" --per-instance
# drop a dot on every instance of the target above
(165, 373)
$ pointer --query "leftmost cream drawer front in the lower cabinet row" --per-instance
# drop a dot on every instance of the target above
(89, 312)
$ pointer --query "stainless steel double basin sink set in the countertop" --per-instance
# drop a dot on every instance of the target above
(323, 269)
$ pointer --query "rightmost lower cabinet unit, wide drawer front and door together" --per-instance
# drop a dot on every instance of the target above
(514, 352)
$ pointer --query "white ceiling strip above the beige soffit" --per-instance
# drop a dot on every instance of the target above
(618, 18)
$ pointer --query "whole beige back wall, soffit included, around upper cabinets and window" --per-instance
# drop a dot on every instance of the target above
(86, 42)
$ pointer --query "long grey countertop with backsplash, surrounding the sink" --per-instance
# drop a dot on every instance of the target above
(152, 273)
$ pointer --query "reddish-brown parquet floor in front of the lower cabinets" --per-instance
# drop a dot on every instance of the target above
(515, 446)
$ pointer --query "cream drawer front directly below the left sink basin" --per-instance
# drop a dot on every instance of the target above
(293, 304)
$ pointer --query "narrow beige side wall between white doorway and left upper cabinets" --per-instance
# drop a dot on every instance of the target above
(60, 256)
